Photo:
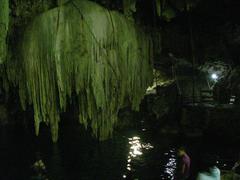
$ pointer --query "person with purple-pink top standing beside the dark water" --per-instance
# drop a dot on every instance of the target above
(184, 164)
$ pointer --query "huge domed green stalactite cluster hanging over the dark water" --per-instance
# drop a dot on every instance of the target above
(85, 49)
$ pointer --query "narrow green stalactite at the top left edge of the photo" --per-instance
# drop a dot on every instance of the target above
(4, 21)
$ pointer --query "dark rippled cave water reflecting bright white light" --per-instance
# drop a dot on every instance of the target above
(138, 153)
